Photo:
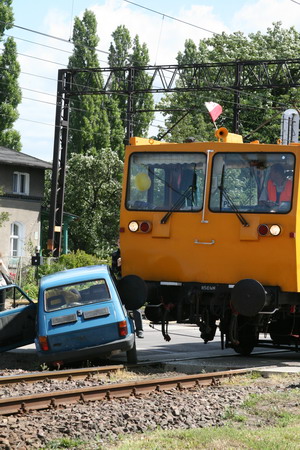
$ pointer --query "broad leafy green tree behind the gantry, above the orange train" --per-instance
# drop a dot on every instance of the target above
(257, 106)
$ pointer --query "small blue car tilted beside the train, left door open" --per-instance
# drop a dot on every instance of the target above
(79, 315)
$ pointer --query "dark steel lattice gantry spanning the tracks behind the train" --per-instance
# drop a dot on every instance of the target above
(235, 76)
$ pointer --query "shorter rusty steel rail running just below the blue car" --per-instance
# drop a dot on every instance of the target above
(61, 375)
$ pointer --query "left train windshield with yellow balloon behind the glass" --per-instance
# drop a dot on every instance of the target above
(164, 181)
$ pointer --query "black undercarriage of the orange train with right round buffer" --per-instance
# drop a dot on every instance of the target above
(241, 312)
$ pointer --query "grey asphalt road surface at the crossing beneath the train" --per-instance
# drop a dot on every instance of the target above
(185, 352)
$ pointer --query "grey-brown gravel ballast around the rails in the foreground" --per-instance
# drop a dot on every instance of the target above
(97, 423)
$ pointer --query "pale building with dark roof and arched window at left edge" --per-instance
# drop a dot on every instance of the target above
(22, 189)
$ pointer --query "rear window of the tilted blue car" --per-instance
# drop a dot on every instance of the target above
(77, 294)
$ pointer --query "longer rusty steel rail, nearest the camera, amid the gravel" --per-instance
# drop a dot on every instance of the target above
(27, 403)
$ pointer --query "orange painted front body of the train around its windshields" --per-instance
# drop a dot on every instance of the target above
(208, 246)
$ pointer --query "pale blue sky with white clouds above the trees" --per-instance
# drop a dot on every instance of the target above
(40, 56)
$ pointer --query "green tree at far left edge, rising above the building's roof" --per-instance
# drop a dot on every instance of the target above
(10, 93)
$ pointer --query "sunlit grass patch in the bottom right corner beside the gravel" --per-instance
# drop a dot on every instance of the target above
(263, 422)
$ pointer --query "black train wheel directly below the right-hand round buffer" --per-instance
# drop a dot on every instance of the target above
(246, 336)
